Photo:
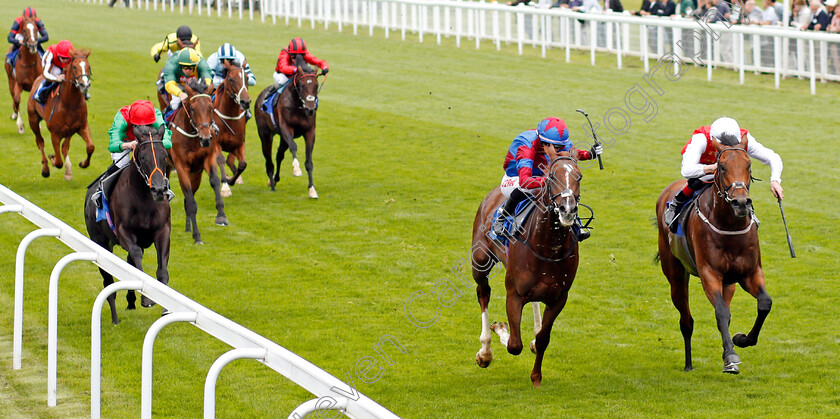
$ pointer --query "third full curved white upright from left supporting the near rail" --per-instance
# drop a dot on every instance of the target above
(96, 342)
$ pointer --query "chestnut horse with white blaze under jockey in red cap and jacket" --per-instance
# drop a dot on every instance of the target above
(65, 110)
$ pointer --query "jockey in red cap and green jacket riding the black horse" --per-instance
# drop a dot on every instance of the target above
(141, 112)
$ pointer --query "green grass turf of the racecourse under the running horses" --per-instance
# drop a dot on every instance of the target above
(411, 136)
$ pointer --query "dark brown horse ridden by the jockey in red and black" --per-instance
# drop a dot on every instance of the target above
(294, 113)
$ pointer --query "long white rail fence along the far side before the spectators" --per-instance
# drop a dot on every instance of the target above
(784, 52)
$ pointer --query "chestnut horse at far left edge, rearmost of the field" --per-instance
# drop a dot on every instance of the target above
(27, 67)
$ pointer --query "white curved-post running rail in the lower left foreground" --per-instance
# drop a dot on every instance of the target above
(331, 393)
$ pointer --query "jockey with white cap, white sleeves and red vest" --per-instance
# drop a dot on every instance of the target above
(700, 161)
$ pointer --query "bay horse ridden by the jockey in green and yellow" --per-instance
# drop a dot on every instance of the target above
(193, 151)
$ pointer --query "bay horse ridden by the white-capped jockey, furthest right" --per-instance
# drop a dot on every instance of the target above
(721, 238)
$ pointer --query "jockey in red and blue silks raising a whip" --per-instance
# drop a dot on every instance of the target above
(531, 152)
